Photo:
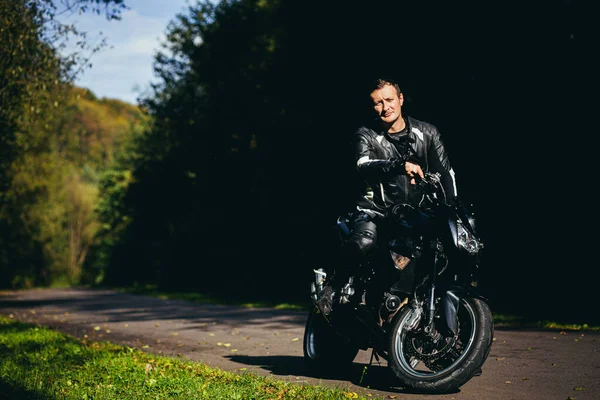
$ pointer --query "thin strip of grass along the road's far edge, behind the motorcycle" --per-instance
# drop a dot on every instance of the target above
(500, 320)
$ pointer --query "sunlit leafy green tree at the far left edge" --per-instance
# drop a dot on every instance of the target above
(45, 202)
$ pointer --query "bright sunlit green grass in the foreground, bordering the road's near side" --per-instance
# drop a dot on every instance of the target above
(38, 363)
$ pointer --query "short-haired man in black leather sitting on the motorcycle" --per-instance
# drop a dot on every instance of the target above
(390, 151)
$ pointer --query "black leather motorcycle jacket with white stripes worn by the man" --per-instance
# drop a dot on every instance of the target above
(380, 162)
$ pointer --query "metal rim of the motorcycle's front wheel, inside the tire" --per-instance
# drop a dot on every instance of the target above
(417, 363)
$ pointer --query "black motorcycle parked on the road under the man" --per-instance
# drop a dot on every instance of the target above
(436, 334)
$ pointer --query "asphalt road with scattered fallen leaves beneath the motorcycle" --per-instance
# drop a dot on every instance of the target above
(523, 364)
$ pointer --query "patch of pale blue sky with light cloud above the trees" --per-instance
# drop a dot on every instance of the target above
(123, 69)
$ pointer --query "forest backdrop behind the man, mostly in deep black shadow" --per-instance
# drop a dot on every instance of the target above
(231, 180)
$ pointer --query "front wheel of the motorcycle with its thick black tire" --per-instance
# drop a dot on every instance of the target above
(461, 360)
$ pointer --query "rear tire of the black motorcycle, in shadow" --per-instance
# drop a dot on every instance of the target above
(324, 349)
